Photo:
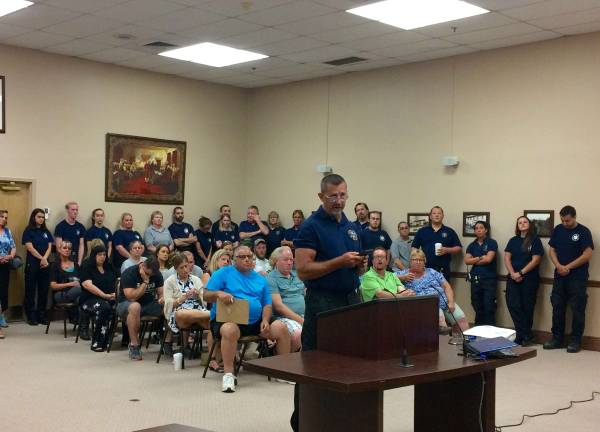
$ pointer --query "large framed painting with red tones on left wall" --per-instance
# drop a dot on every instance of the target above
(144, 170)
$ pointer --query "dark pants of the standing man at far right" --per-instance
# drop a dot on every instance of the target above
(568, 291)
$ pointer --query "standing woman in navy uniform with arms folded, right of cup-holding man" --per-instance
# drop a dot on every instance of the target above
(481, 256)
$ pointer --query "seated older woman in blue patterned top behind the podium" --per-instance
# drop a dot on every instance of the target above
(426, 281)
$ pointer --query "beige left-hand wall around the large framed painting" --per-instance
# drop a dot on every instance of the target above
(59, 110)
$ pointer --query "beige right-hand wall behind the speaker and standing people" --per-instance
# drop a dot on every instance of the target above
(523, 120)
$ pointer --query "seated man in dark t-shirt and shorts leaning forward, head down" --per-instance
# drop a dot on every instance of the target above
(141, 285)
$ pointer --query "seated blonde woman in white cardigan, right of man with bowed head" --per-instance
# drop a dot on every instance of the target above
(183, 301)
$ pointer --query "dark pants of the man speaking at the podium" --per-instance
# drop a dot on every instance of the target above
(317, 302)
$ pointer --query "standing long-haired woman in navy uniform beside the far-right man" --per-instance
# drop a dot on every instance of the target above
(522, 258)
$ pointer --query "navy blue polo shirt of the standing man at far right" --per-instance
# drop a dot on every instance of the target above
(569, 245)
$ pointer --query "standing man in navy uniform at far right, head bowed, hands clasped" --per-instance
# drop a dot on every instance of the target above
(571, 247)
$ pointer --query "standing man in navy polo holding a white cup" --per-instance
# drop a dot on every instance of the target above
(436, 232)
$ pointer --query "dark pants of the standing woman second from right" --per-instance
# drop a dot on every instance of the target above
(520, 299)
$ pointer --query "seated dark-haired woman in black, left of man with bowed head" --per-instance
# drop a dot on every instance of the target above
(98, 295)
